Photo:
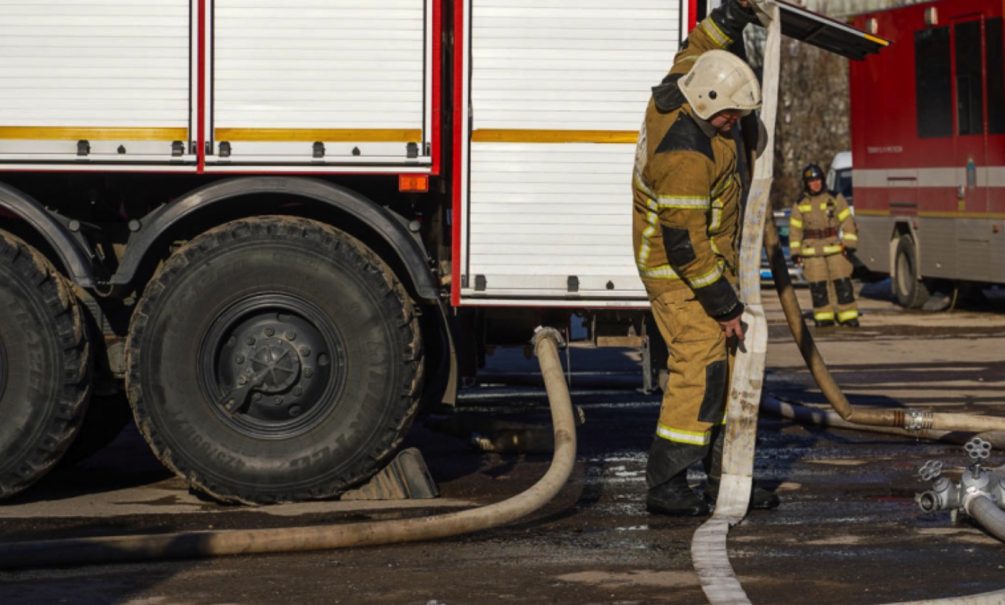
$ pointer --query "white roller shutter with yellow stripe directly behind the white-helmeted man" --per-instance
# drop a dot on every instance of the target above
(557, 92)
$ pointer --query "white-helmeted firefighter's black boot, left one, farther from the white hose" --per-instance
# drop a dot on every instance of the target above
(667, 477)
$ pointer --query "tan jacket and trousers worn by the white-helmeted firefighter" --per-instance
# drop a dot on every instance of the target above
(687, 195)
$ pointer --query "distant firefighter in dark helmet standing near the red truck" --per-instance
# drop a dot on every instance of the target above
(822, 233)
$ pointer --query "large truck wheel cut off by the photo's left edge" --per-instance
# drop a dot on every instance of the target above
(45, 366)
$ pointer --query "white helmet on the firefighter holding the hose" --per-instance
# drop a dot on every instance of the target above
(720, 81)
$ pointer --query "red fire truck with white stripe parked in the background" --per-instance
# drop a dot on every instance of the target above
(928, 129)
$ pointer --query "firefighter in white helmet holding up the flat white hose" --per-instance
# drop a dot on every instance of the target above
(687, 213)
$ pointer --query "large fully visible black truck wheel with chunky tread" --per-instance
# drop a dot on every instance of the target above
(275, 359)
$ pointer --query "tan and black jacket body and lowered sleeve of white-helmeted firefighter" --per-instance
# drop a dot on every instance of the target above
(687, 208)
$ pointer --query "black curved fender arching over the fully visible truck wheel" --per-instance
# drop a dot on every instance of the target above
(156, 227)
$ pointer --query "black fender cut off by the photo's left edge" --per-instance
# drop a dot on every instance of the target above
(73, 257)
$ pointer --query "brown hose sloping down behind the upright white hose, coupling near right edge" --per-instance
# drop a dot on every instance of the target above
(913, 421)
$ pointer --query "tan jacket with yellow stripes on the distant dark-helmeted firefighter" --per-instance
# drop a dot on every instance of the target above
(822, 226)
